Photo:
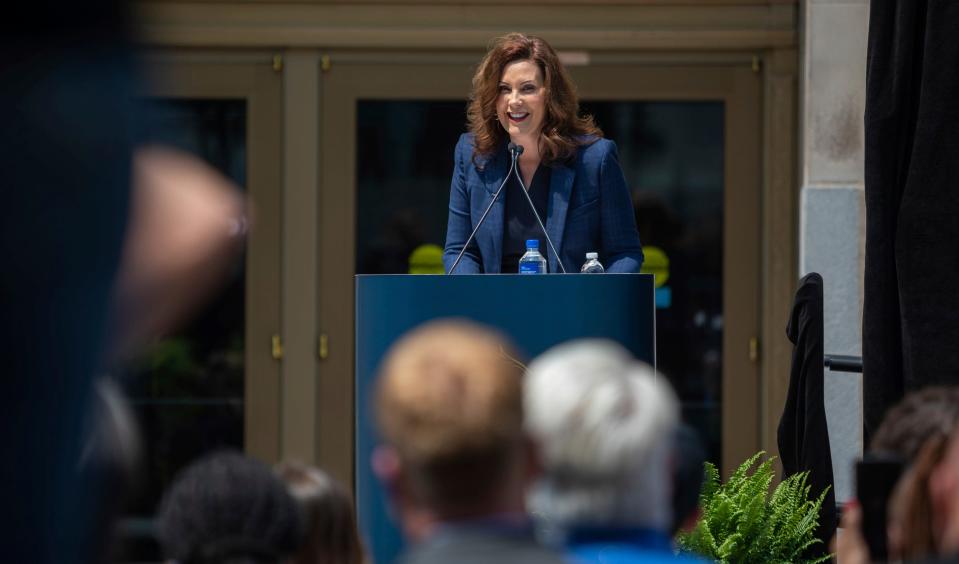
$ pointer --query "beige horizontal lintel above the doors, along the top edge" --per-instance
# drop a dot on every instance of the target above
(671, 25)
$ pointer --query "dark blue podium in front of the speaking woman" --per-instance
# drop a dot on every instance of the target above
(535, 312)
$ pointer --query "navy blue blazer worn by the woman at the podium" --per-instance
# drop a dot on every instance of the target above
(589, 209)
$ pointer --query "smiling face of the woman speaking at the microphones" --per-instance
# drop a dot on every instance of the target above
(521, 105)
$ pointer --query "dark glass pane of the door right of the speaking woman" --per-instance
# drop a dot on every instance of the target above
(672, 156)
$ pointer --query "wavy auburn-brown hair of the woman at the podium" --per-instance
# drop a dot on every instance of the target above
(564, 130)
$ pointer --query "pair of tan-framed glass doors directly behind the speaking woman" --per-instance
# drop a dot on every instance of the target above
(689, 144)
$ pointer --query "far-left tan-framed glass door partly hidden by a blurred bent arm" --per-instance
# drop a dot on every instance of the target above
(213, 383)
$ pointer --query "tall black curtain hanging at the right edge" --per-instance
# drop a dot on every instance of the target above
(911, 294)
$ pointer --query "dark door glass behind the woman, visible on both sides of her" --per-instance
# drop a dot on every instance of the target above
(672, 156)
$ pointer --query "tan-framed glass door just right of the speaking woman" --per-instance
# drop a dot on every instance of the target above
(689, 140)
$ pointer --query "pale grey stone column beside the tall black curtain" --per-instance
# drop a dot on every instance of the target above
(832, 205)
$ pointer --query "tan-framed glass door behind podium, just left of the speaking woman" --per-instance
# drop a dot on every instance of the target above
(387, 135)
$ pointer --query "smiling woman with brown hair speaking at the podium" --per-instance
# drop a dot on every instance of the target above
(522, 96)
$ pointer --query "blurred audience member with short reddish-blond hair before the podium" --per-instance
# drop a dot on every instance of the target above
(456, 461)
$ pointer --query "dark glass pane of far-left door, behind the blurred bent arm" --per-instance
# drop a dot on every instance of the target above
(187, 389)
